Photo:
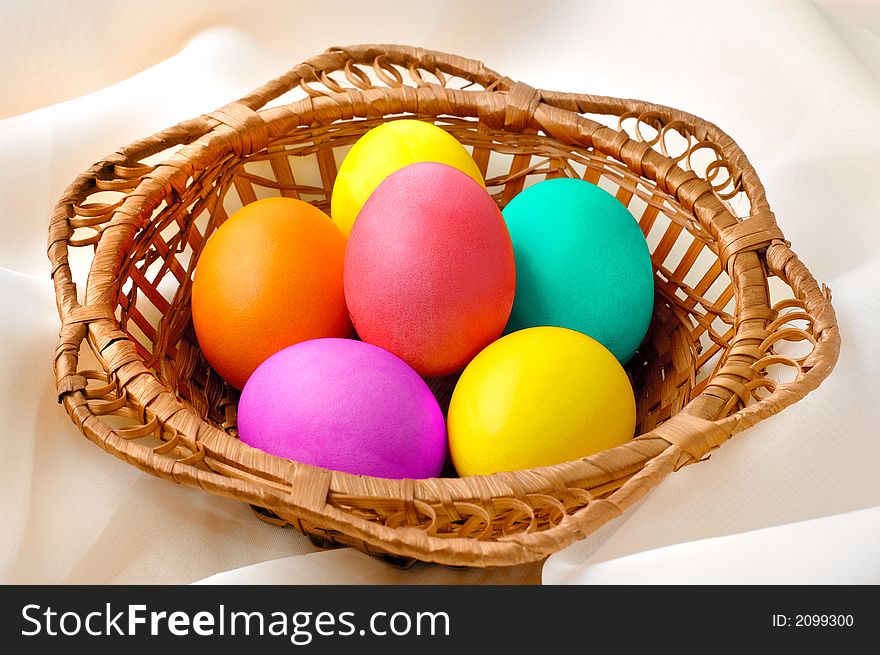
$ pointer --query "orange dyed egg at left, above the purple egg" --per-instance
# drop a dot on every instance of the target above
(269, 277)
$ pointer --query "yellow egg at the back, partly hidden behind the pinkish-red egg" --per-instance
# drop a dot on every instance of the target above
(388, 148)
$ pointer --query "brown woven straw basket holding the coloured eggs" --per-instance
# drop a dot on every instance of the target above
(740, 328)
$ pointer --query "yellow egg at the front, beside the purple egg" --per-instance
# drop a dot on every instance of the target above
(536, 397)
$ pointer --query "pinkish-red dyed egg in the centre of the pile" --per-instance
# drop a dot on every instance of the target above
(429, 268)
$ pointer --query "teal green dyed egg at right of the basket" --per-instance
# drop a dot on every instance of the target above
(582, 263)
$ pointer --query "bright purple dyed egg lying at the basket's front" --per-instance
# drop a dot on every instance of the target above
(345, 405)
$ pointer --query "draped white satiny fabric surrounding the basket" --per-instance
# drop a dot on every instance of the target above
(794, 83)
